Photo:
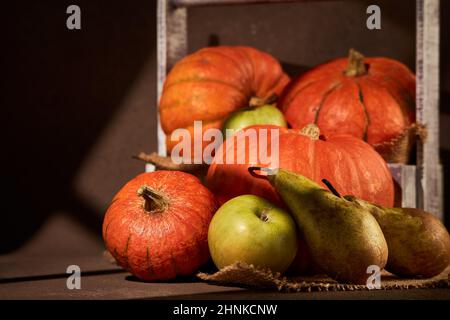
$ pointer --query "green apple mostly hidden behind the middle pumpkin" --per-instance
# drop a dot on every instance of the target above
(266, 114)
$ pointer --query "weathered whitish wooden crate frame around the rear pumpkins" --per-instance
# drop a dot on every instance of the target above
(421, 184)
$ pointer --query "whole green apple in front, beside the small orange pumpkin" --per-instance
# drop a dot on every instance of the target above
(250, 229)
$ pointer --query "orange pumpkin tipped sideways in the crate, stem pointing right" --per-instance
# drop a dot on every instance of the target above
(213, 82)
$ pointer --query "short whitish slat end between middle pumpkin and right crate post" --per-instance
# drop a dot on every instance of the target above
(405, 176)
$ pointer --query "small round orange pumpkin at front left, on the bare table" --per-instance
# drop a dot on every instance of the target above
(157, 225)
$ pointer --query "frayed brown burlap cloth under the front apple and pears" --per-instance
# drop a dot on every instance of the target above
(247, 276)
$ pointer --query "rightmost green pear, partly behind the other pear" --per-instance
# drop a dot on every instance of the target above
(419, 244)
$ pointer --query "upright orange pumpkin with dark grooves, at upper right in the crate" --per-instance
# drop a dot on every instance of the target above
(369, 98)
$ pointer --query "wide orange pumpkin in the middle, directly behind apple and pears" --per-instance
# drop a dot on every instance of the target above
(350, 164)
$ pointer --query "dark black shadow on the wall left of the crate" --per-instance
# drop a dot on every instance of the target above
(64, 88)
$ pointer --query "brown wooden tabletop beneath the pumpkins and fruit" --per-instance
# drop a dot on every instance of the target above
(122, 286)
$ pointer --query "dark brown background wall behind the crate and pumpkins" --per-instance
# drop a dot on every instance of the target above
(80, 103)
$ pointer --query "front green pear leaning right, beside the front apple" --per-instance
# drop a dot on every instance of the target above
(342, 235)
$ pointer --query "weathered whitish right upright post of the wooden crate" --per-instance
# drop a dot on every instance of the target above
(429, 178)
